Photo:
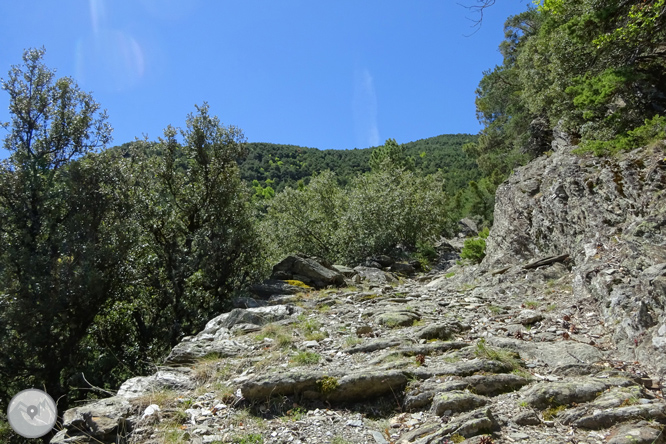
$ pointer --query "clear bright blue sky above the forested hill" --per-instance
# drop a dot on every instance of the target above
(327, 74)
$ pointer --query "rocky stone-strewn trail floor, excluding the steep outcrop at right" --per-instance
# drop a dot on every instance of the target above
(511, 357)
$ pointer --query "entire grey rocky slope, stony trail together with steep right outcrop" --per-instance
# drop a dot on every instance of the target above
(566, 350)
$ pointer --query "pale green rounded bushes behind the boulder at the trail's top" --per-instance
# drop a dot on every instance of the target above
(372, 215)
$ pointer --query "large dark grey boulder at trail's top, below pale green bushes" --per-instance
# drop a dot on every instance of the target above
(308, 270)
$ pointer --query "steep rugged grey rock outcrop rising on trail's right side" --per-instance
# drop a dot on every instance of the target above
(609, 216)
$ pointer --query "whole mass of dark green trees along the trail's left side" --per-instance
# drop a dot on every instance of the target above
(108, 259)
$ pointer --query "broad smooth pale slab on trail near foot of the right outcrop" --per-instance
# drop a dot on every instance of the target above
(553, 354)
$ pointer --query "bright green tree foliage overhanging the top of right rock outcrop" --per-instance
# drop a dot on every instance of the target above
(592, 68)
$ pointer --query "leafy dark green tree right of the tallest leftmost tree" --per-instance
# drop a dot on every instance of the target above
(199, 244)
